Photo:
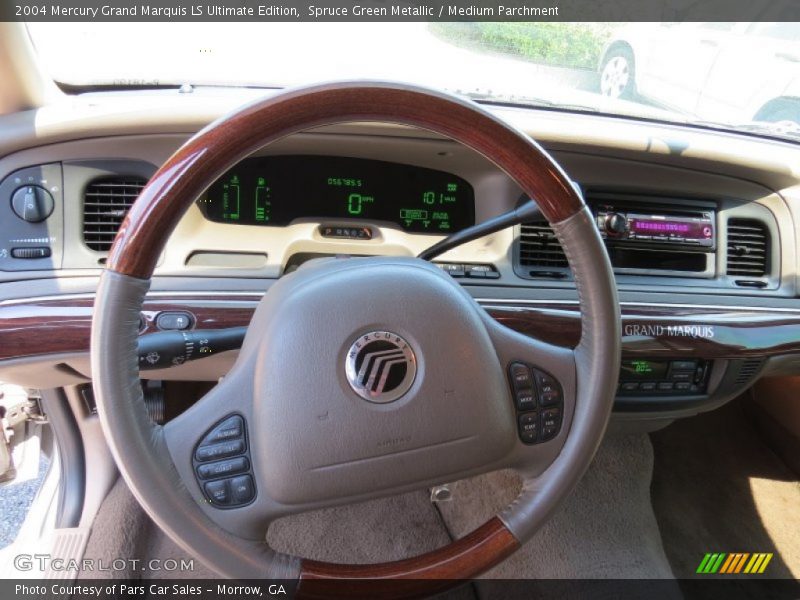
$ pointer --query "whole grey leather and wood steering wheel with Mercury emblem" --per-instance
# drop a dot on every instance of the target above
(357, 378)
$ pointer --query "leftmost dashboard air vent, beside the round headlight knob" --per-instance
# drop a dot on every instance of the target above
(105, 204)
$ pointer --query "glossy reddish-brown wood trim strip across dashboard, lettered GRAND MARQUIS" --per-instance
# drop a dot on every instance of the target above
(61, 326)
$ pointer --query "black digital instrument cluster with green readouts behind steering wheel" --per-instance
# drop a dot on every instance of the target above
(276, 190)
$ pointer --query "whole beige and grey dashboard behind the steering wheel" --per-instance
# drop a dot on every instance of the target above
(701, 228)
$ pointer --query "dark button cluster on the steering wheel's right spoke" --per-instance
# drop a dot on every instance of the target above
(539, 403)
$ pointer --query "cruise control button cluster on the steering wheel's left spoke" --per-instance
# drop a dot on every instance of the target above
(222, 464)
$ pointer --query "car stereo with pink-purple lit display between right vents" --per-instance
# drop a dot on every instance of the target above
(686, 230)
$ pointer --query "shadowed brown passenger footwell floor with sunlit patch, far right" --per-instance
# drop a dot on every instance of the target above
(718, 488)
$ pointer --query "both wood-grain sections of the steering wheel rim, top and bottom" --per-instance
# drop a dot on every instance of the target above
(214, 150)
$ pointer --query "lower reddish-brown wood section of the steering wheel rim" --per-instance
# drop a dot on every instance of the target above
(416, 577)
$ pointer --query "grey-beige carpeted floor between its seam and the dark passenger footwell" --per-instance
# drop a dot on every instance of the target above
(605, 530)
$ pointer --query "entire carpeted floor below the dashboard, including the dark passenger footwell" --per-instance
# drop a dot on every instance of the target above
(715, 488)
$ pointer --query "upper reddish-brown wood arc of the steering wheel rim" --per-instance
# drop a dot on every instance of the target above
(217, 148)
